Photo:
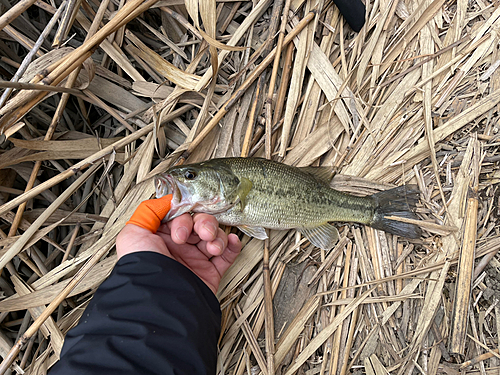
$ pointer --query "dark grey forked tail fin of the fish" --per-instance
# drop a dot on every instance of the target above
(396, 202)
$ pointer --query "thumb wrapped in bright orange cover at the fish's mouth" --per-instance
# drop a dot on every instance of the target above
(150, 213)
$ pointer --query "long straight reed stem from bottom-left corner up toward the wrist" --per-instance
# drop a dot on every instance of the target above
(11, 356)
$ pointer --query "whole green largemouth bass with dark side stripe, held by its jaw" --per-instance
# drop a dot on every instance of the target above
(254, 194)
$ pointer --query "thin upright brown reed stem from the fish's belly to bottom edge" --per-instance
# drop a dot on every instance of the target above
(268, 309)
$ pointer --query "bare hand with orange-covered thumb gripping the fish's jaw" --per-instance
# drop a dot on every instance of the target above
(195, 241)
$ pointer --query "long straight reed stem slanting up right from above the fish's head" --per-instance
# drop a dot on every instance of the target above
(244, 86)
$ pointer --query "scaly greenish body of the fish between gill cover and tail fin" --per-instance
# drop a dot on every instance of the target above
(284, 197)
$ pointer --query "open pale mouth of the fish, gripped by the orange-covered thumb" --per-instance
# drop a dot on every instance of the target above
(167, 184)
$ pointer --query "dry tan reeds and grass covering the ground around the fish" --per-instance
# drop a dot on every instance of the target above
(120, 90)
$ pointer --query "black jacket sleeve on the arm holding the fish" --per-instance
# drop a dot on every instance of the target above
(151, 316)
